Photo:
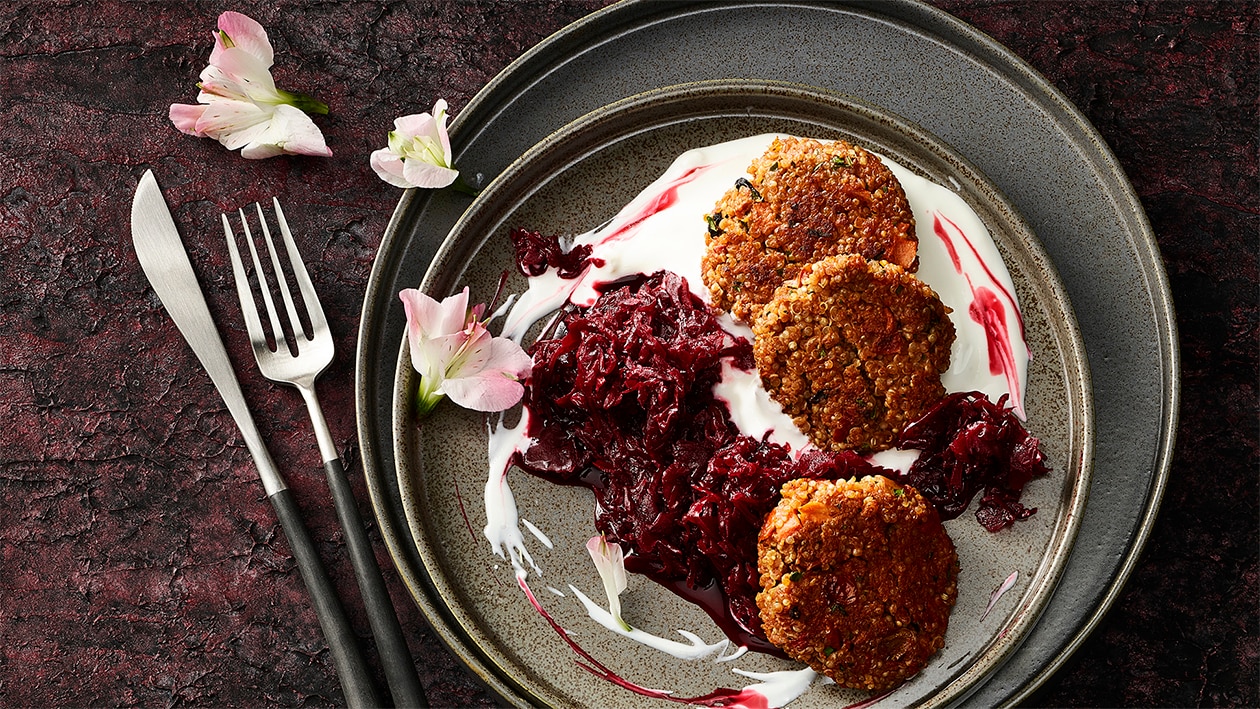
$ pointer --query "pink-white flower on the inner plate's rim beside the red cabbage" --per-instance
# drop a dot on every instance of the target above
(457, 356)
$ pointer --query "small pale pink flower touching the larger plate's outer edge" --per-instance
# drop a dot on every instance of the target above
(419, 153)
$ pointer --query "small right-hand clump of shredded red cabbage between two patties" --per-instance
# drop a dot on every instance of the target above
(971, 444)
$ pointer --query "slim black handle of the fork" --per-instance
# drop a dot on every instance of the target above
(395, 655)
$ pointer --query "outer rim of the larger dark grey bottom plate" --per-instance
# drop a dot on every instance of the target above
(923, 20)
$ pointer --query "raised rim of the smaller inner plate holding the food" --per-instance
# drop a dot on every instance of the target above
(439, 281)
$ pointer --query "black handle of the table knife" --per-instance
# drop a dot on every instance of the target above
(342, 642)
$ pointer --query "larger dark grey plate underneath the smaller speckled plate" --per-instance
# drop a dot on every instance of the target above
(925, 66)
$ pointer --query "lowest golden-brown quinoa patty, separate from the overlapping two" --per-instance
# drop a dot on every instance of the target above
(859, 580)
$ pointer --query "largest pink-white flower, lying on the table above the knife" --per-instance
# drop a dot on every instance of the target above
(240, 105)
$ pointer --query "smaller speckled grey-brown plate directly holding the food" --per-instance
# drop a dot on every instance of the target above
(581, 177)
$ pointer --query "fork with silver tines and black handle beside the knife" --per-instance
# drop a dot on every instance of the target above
(298, 361)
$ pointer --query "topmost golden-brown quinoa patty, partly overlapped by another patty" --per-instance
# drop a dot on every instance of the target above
(803, 201)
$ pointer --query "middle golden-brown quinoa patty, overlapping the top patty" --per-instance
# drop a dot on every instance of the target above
(854, 351)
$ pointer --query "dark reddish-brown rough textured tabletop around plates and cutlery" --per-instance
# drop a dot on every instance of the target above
(139, 565)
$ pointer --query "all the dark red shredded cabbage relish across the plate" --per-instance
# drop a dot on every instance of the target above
(622, 402)
